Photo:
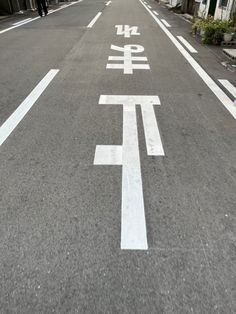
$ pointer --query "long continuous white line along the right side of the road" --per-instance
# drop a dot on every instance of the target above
(224, 99)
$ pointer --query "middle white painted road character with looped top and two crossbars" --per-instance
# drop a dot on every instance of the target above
(128, 66)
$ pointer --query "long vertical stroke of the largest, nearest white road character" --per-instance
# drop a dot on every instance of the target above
(133, 222)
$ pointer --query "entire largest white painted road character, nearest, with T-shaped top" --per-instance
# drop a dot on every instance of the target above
(133, 222)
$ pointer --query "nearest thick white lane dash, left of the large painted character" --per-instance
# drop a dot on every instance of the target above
(10, 124)
